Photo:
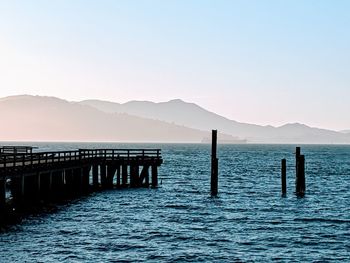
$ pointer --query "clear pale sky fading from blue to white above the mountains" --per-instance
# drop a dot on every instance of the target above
(263, 62)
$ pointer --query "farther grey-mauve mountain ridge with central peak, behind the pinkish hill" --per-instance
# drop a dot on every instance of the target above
(193, 116)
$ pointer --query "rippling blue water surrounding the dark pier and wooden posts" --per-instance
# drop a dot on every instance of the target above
(179, 221)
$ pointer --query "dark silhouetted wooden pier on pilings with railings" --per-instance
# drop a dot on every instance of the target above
(52, 176)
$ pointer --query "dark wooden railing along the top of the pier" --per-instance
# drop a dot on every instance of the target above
(24, 160)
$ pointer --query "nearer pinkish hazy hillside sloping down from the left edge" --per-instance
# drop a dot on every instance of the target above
(35, 118)
